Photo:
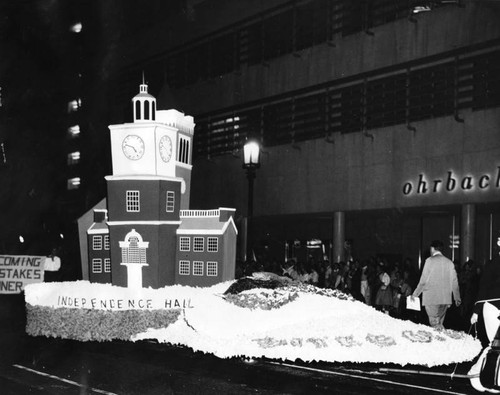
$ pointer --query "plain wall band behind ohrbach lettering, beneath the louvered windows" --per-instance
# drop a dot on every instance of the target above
(357, 172)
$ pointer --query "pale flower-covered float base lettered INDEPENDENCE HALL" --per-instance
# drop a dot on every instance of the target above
(289, 322)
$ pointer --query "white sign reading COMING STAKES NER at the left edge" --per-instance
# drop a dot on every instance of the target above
(16, 271)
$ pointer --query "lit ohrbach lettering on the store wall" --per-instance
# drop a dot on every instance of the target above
(452, 182)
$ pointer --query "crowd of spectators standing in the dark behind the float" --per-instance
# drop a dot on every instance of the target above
(374, 281)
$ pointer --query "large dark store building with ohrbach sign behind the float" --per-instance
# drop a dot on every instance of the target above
(379, 121)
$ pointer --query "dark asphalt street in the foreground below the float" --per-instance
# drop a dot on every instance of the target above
(54, 366)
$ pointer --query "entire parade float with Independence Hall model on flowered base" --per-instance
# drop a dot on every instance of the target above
(153, 269)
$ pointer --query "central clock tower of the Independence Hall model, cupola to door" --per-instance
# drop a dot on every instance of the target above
(150, 184)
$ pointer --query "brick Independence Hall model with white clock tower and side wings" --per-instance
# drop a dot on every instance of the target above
(147, 236)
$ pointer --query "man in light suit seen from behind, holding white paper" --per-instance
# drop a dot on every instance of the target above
(437, 283)
